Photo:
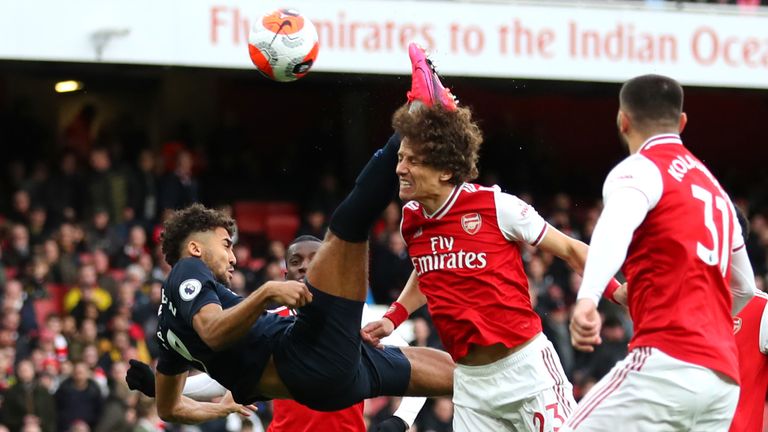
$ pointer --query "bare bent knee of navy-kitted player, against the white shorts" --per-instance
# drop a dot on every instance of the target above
(431, 372)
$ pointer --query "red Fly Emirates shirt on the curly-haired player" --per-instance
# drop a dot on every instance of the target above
(469, 267)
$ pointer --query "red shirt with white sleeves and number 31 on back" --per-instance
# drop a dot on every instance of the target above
(678, 263)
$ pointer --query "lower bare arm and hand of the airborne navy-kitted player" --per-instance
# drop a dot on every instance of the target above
(172, 406)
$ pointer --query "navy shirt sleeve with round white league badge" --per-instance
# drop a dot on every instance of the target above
(194, 288)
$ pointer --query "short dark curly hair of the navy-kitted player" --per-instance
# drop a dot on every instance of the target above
(193, 219)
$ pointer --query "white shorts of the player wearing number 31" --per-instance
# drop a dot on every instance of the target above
(651, 391)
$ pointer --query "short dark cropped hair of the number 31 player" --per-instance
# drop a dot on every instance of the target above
(652, 100)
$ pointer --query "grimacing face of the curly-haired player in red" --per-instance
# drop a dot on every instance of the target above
(418, 181)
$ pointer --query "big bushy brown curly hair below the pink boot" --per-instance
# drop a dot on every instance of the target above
(447, 140)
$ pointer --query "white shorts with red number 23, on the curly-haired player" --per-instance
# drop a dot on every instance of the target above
(525, 391)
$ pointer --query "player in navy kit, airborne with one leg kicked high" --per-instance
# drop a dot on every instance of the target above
(315, 358)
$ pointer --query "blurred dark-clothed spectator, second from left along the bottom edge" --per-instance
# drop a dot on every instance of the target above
(78, 398)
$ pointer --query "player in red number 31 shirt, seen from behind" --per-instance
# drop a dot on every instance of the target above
(667, 219)
